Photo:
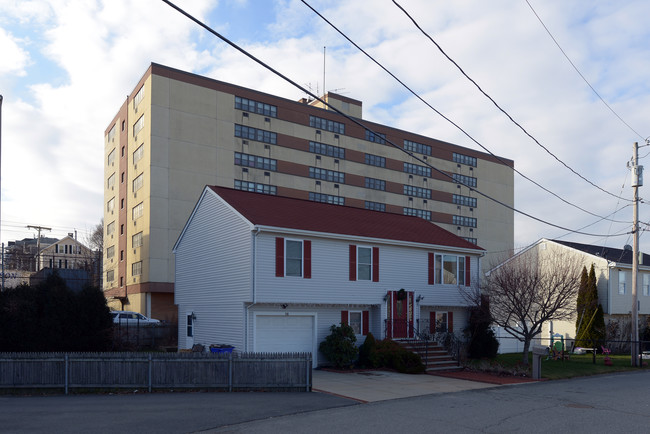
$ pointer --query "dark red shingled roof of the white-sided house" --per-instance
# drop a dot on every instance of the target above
(284, 212)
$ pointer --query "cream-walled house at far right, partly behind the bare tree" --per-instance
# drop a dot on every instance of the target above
(613, 269)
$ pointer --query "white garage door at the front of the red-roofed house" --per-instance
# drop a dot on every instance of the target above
(284, 334)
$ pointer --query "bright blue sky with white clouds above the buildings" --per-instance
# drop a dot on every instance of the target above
(67, 66)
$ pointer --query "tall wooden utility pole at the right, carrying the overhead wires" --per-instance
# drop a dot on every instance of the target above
(637, 181)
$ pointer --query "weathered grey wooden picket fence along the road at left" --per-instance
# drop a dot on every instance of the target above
(88, 371)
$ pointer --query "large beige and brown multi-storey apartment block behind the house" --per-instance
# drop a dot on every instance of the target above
(178, 132)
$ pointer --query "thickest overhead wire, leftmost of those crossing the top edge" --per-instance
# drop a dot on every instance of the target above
(355, 121)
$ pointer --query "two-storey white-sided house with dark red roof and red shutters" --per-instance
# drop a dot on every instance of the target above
(272, 274)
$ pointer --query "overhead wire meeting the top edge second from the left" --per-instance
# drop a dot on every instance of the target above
(449, 120)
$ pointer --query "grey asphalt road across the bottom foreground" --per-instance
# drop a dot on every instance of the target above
(611, 403)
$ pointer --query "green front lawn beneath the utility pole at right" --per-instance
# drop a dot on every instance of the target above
(576, 366)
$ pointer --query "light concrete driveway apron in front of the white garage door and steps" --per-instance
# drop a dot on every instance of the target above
(370, 386)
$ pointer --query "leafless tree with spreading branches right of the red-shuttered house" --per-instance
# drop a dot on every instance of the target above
(528, 290)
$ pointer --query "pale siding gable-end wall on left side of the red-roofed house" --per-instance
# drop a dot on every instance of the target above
(213, 274)
